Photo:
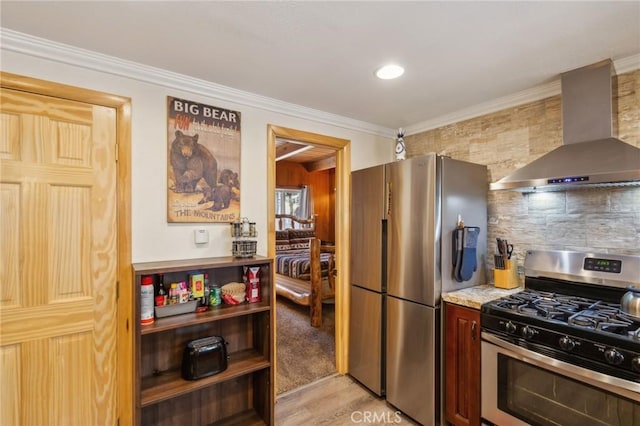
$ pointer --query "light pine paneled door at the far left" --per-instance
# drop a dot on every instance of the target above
(58, 261)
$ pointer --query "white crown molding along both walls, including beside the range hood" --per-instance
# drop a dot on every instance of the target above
(58, 52)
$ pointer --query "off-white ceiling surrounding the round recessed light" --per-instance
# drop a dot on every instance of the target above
(322, 55)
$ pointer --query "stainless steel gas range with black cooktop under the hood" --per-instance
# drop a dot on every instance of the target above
(562, 352)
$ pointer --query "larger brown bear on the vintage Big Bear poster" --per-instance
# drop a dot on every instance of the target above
(191, 162)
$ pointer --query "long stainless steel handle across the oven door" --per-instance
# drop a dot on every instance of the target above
(604, 381)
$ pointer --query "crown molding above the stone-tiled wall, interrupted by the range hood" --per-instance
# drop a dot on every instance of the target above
(542, 91)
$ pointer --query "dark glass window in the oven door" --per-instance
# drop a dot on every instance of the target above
(541, 397)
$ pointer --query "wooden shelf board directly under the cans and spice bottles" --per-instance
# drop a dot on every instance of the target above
(215, 313)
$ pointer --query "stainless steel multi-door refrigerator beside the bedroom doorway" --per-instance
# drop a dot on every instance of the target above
(403, 217)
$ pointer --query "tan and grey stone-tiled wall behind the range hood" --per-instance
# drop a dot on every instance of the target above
(604, 220)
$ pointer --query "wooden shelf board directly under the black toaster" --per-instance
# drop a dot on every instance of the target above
(171, 384)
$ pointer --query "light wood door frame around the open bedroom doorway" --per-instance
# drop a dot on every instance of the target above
(342, 217)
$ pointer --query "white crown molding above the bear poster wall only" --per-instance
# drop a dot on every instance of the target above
(58, 52)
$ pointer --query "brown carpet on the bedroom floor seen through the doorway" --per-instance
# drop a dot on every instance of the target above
(304, 353)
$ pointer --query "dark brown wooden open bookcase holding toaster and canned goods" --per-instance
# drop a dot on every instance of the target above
(241, 394)
